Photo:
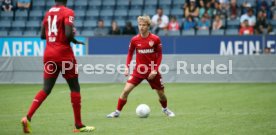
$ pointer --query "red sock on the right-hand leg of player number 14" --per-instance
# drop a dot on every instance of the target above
(76, 104)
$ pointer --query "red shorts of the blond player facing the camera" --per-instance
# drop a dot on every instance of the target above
(156, 83)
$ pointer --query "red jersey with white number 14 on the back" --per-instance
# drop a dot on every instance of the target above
(58, 47)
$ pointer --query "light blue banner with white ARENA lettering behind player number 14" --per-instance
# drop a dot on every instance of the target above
(32, 47)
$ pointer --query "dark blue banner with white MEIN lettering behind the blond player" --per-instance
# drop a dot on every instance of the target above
(223, 45)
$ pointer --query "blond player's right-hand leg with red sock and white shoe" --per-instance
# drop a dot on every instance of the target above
(157, 85)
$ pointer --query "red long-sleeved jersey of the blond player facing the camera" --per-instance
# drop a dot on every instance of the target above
(148, 52)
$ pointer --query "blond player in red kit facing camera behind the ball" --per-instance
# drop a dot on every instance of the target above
(148, 58)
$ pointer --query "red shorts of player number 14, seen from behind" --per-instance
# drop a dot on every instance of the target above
(67, 68)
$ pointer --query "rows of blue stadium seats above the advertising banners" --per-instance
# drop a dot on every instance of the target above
(89, 11)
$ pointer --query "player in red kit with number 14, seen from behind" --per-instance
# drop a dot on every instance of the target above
(57, 29)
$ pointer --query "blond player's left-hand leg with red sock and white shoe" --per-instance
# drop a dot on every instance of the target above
(130, 85)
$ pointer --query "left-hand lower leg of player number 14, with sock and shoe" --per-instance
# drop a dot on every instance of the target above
(38, 99)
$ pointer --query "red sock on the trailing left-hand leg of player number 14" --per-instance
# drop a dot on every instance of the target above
(39, 98)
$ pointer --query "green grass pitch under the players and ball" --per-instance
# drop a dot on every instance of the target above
(201, 109)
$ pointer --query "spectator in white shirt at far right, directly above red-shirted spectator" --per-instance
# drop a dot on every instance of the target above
(248, 16)
